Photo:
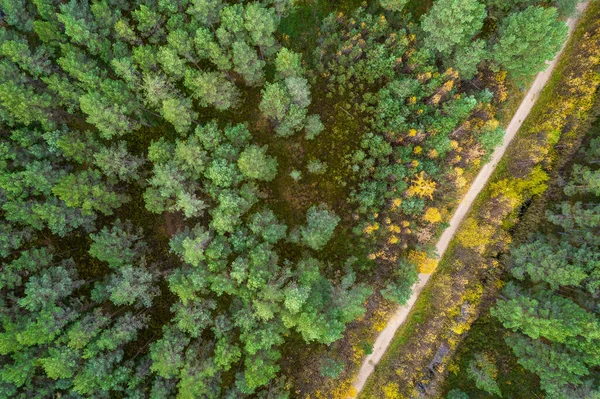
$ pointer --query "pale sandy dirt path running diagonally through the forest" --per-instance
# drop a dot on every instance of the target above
(400, 316)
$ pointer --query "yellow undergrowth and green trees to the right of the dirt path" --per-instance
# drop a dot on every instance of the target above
(512, 307)
